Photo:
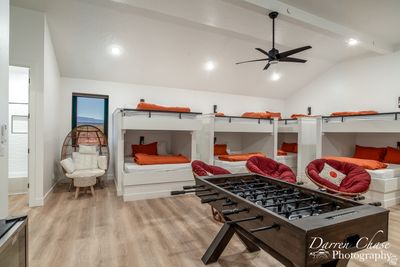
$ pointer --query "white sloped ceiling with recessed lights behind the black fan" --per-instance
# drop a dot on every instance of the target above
(167, 43)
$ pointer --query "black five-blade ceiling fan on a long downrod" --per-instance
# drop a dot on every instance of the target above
(273, 55)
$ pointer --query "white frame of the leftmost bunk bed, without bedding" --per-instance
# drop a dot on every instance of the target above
(158, 183)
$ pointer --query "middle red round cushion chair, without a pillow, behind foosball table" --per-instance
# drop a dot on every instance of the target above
(269, 167)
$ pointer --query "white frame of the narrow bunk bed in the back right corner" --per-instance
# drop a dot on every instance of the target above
(306, 129)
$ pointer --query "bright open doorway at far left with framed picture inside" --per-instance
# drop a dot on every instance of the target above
(18, 134)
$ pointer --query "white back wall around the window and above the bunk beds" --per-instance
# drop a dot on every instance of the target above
(128, 95)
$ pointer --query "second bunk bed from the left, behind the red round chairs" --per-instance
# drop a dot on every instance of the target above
(242, 135)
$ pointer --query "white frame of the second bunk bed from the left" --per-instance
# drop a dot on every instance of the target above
(236, 124)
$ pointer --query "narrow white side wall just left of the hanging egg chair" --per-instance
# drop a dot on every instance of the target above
(51, 100)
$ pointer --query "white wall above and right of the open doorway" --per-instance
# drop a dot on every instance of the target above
(26, 49)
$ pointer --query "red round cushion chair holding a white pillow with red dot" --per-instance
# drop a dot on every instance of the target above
(356, 182)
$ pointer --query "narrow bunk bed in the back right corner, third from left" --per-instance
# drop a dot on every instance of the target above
(302, 132)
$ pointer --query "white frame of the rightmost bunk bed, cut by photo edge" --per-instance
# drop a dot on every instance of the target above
(387, 191)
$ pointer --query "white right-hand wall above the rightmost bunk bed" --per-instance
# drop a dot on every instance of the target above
(365, 84)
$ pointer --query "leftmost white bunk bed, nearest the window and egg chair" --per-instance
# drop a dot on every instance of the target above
(175, 130)
